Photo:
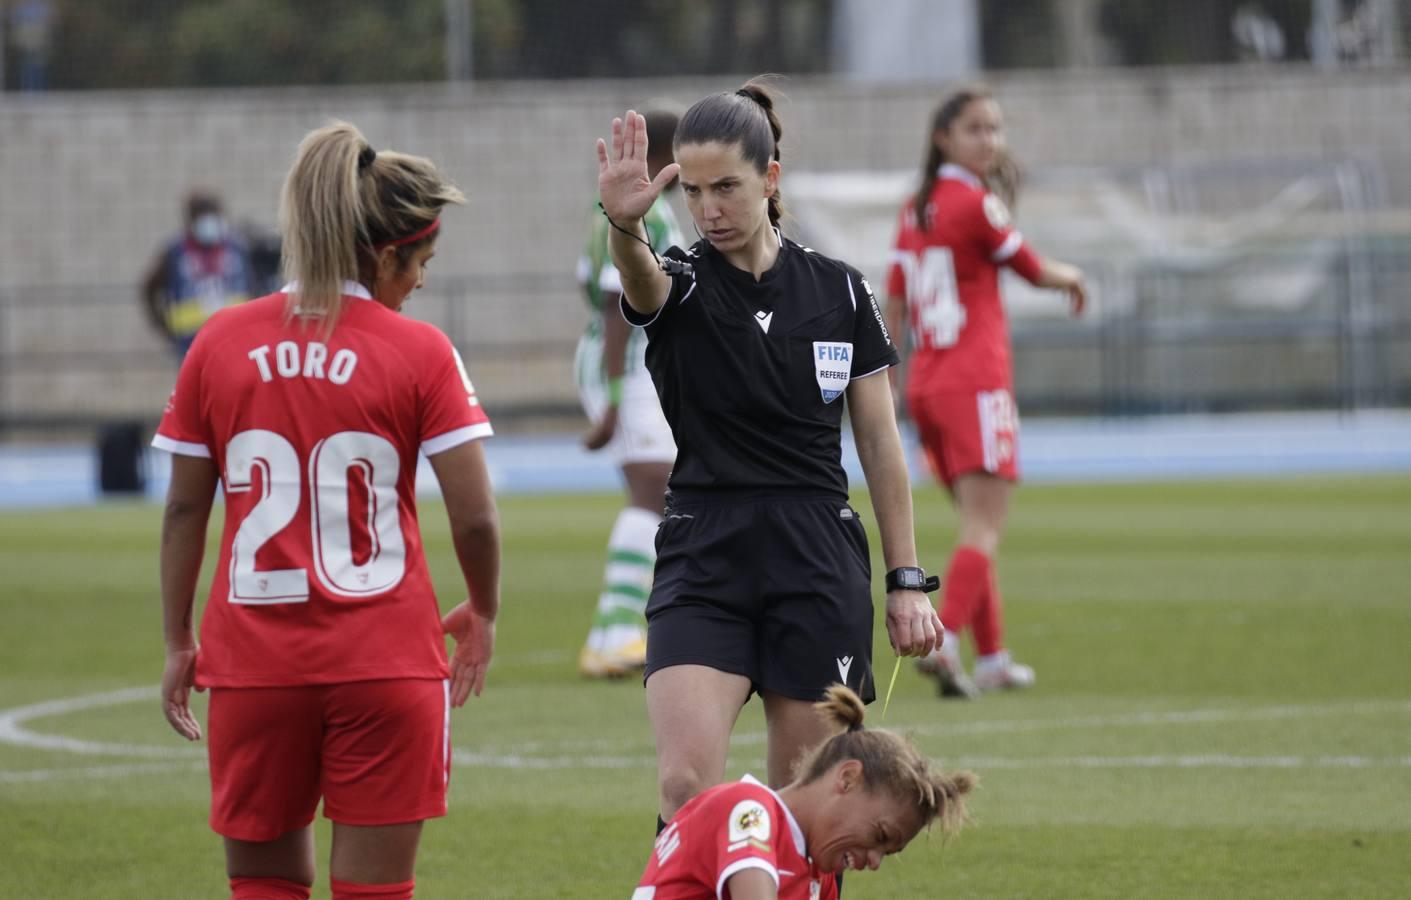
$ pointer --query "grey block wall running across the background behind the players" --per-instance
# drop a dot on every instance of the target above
(91, 184)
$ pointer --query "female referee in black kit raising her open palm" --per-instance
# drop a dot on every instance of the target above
(763, 575)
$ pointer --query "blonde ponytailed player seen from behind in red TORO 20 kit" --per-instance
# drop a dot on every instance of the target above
(321, 641)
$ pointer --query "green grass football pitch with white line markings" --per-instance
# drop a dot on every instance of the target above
(1224, 709)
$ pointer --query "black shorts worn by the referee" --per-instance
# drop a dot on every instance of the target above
(774, 589)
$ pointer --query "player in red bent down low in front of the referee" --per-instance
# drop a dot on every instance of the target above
(859, 796)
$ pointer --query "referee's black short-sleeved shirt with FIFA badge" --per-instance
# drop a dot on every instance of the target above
(753, 376)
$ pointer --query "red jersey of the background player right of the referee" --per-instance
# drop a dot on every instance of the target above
(950, 279)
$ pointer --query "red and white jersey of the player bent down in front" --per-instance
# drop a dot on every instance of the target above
(726, 830)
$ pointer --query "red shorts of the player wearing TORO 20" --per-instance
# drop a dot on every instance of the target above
(377, 753)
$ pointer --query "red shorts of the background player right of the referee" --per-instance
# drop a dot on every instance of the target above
(970, 431)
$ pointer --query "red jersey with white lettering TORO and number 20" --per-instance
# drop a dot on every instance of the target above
(322, 576)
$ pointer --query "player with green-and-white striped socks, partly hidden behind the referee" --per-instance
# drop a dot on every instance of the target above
(619, 397)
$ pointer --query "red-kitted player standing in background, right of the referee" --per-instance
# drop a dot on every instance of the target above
(952, 242)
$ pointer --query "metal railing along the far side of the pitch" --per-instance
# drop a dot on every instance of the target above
(1163, 339)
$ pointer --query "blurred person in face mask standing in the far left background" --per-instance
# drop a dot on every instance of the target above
(202, 270)
